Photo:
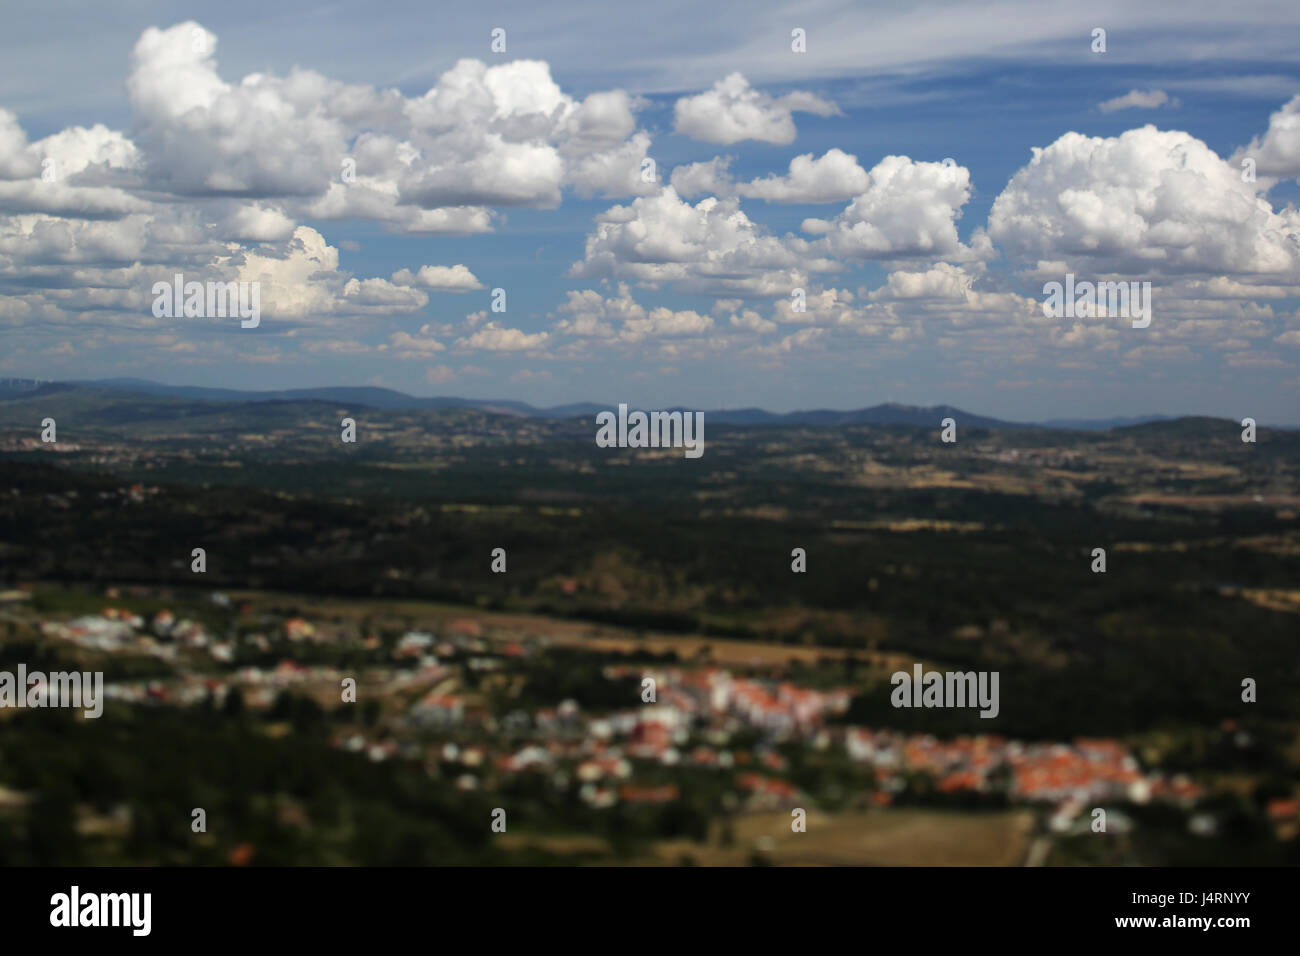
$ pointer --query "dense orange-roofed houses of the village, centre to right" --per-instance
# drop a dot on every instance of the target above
(696, 715)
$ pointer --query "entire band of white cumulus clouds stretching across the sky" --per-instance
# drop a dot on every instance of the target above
(218, 174)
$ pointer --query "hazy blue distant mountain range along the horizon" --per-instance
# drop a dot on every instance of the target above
(371, 397)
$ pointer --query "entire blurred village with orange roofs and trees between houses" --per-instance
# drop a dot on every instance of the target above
(452, 698)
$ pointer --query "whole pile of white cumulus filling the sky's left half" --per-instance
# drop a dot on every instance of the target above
(218, 175)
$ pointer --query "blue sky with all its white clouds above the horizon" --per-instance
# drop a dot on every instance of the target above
(788, 206)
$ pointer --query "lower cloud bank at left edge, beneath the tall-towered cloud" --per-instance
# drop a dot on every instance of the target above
(94, 239)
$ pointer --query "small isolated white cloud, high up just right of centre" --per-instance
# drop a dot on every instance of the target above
(734, 111)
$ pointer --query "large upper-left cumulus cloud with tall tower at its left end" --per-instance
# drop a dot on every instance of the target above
(502, 136)
